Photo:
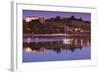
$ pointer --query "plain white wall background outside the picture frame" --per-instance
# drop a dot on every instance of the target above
(5, 33)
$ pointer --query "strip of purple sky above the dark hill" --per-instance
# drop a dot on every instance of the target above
(49, 14)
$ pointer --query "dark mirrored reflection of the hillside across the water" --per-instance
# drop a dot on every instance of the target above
(42, 45)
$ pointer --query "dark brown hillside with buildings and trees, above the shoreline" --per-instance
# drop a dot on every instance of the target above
(56, 25)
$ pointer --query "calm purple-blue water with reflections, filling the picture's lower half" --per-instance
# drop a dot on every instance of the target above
(54, 49)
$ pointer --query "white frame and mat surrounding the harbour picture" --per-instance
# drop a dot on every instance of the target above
(16, 53)
